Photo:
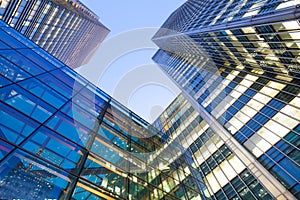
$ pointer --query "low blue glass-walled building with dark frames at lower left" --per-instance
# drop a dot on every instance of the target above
(63, 138)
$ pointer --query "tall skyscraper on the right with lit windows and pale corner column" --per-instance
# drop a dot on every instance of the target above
(237, 63)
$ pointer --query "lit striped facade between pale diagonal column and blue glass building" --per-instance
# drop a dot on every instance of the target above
(219, 170)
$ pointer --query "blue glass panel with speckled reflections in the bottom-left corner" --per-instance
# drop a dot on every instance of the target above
(23, 176)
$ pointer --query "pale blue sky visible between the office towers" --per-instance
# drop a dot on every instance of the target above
(126, 71)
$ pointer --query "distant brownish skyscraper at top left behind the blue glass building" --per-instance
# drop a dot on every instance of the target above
(66, 29)
